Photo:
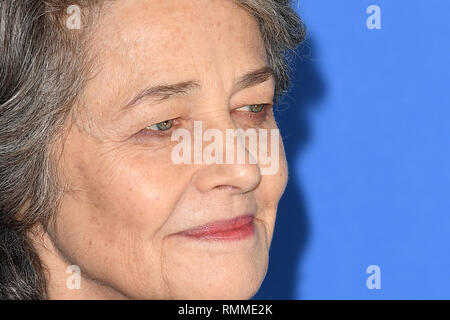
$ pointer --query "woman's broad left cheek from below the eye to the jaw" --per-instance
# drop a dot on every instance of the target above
(117, 215)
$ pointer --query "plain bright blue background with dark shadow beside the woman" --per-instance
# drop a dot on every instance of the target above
(367, 133)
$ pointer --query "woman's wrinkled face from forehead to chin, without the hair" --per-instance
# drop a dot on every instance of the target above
(122, 221)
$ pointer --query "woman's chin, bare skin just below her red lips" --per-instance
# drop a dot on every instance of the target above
(227, 274)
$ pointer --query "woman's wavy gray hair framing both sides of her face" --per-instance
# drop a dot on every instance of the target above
(43, 72)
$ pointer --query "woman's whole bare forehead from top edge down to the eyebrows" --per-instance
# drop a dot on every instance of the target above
(138, 42)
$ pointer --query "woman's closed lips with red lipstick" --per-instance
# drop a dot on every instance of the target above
(234, 229)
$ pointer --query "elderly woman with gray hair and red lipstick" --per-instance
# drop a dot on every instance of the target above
(90, 93)
